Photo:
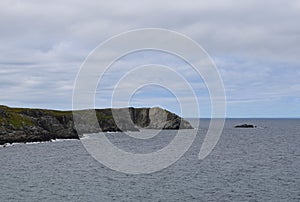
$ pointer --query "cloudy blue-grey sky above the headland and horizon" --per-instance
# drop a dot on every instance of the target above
(254, 44)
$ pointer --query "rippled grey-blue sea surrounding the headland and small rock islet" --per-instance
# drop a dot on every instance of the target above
(261, 164)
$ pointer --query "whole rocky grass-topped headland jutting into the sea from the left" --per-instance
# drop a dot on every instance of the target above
(35, 125)
